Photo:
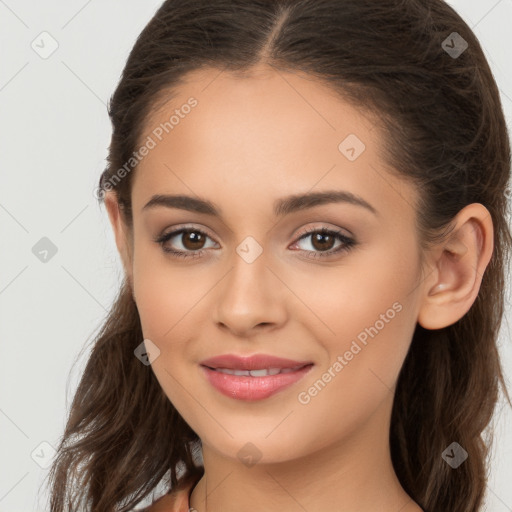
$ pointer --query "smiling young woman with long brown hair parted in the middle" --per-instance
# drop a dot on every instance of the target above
(309, 202)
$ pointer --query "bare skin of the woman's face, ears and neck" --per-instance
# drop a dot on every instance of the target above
(249, 142)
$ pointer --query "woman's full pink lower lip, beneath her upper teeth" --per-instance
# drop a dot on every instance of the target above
(242, 387)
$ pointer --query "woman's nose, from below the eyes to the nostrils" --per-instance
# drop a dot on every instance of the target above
(250, 297)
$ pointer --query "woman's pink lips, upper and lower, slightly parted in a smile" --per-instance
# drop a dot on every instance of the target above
(241, 387)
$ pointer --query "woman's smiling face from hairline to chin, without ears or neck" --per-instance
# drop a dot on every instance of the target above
(347, 301)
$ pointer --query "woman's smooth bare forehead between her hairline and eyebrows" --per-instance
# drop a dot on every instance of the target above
(251, 138)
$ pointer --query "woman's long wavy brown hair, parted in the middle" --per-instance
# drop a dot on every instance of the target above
(445, 130)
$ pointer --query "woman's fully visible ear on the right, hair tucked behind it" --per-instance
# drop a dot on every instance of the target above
(458, 265)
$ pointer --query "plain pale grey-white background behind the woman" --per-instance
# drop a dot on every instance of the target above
(55, 133)
